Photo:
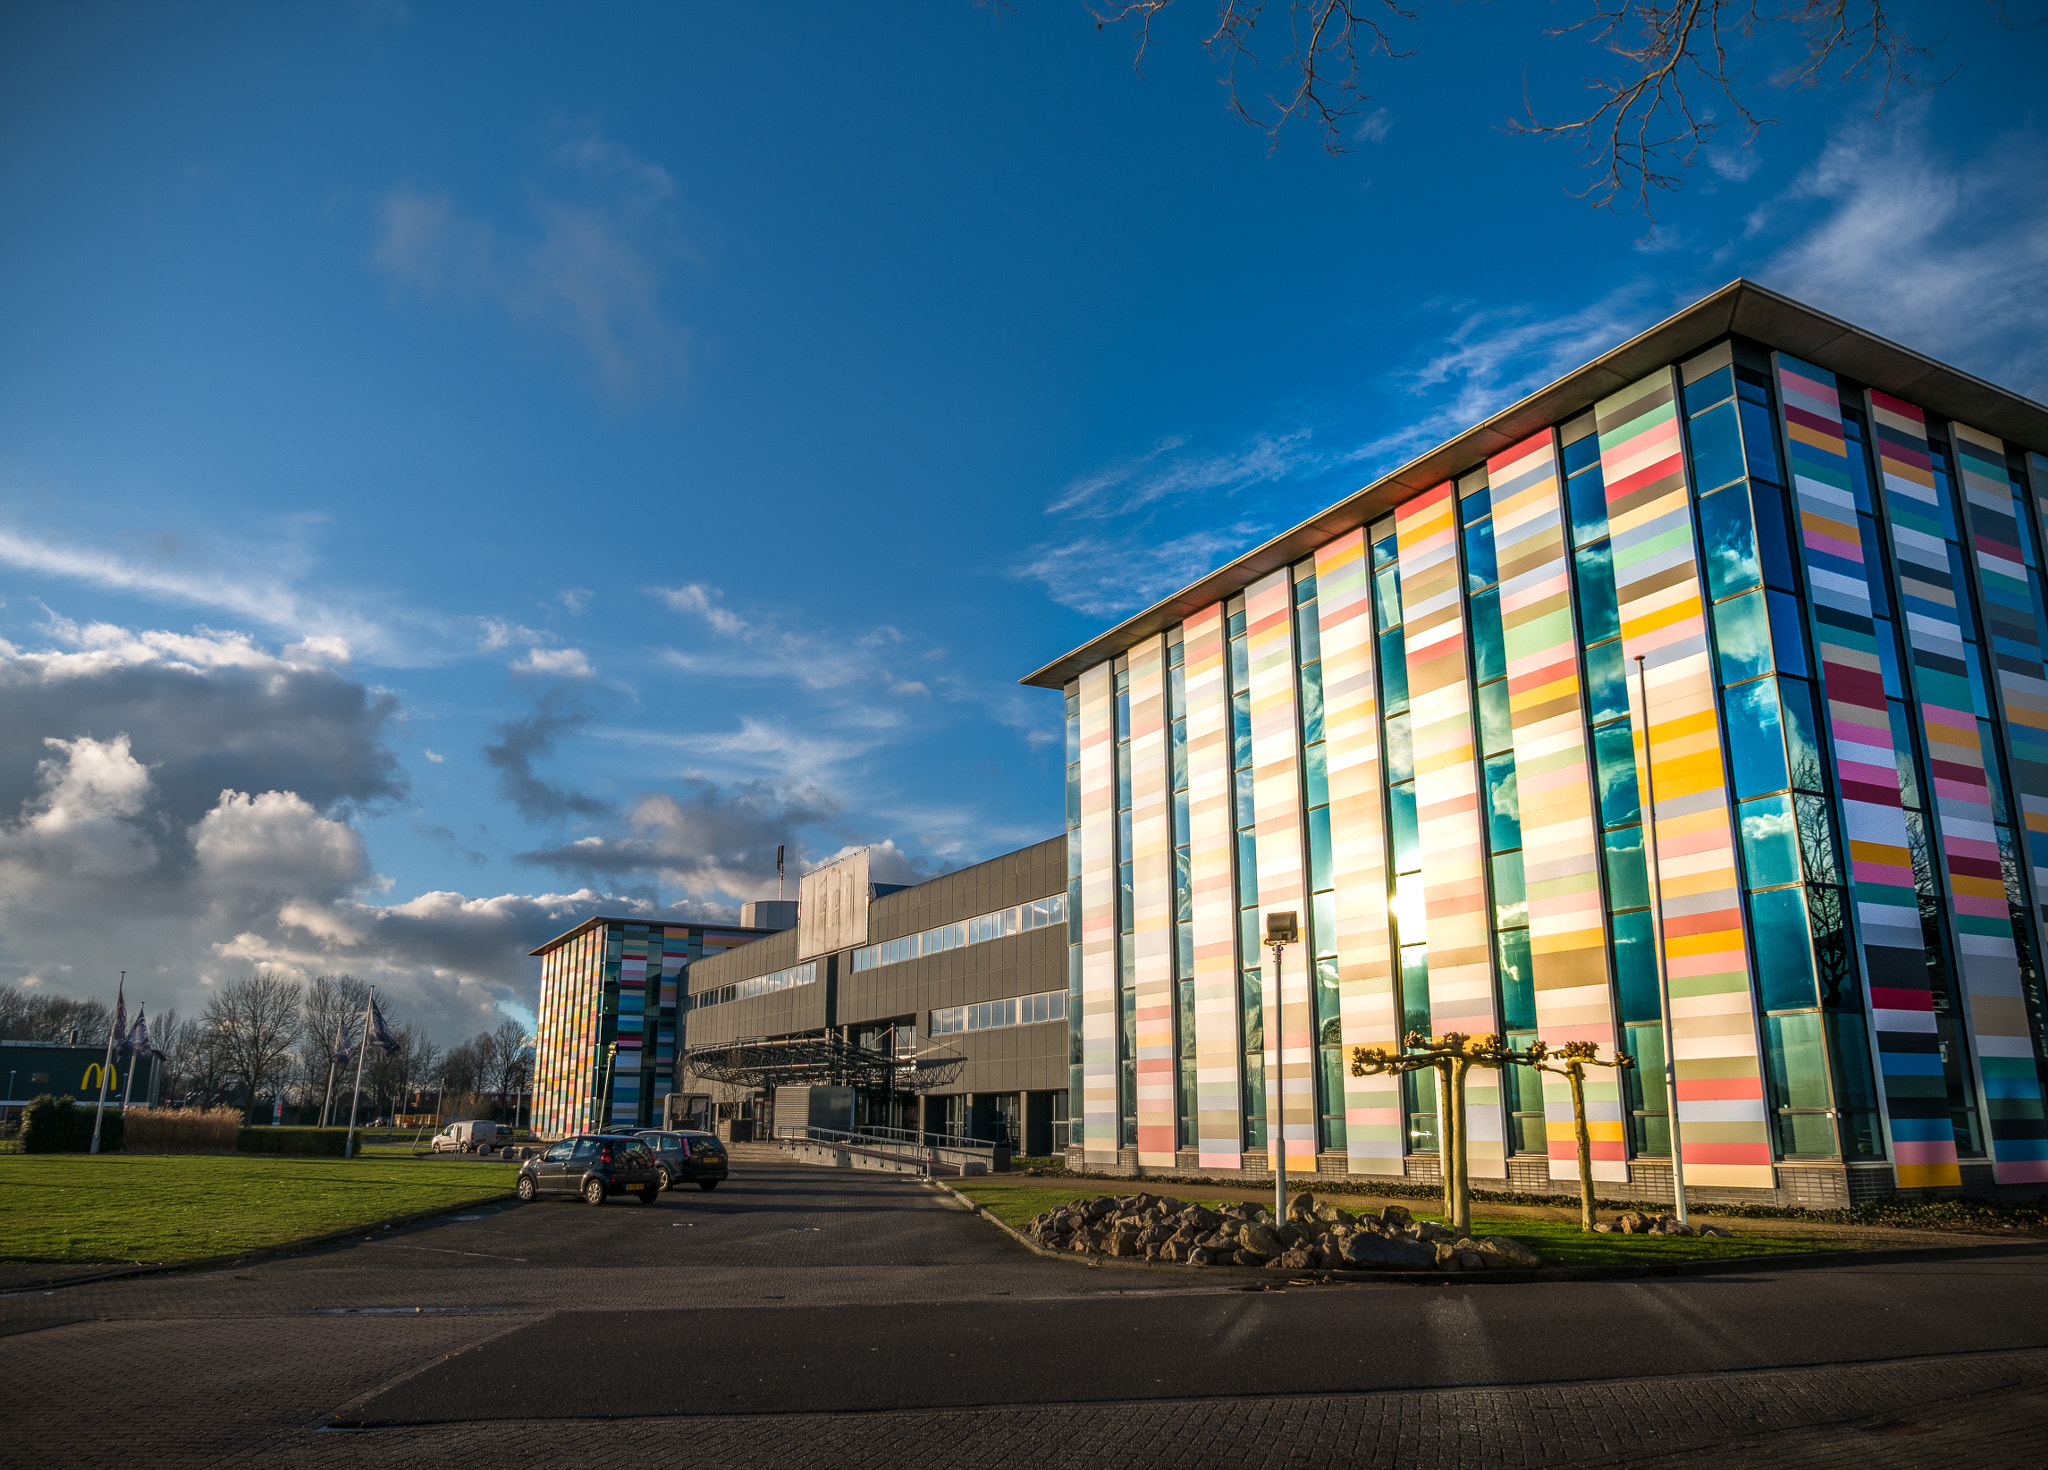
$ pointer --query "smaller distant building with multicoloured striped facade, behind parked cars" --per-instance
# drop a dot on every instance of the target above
(615, 982)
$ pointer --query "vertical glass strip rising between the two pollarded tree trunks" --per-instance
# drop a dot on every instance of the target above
(1517, 976)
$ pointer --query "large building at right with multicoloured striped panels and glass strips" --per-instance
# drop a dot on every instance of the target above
(1758, 574)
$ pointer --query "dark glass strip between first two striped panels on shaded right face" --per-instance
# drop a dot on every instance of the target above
(1916, 793)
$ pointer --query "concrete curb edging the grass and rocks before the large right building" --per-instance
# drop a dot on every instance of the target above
(1719, 1266)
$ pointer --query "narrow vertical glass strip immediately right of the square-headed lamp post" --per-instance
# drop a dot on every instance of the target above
(1322, 935)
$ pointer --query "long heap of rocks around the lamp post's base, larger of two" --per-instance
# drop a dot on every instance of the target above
(1314, 1238)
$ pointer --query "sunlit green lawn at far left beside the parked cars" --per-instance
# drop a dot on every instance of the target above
(181, 1207)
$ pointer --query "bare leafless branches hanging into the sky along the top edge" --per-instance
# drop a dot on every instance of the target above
(1648, 122)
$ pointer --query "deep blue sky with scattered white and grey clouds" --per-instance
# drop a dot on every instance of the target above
(464, 468)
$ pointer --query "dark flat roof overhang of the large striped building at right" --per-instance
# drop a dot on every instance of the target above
(1740, 308)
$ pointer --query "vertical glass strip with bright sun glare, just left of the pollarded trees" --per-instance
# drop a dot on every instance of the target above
(1404, 836)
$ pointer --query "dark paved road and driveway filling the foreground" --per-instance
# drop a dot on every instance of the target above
(820, 1317)
